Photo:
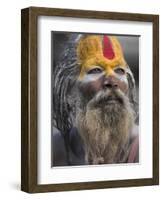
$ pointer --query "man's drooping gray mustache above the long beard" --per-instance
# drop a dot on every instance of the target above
(108, 96)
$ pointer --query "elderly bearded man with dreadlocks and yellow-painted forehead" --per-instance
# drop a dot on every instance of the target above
(94, 104)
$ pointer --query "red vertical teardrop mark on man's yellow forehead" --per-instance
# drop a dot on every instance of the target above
(107, 48)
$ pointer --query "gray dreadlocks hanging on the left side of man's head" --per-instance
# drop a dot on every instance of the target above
(65, 74)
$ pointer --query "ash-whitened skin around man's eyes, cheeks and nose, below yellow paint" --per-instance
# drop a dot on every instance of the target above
(96, 80)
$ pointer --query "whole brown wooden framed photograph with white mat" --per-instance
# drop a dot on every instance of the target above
(90, 99)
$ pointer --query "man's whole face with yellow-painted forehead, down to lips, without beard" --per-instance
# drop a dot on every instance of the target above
(103, 68)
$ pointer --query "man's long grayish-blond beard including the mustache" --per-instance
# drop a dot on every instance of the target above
(105, 128)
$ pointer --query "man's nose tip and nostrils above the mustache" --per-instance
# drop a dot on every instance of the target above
(110, 82)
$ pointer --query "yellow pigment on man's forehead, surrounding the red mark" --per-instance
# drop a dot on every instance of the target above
(90, 54)
